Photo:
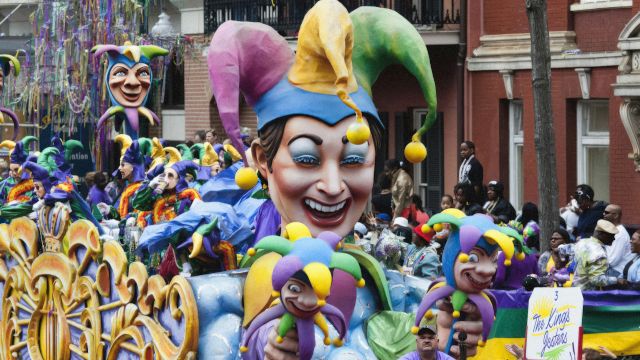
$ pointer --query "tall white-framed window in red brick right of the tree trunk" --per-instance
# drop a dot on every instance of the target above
(593, 146)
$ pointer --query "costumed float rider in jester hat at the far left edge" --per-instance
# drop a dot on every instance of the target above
(15, 188)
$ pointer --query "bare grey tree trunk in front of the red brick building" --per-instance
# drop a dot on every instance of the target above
(544, 135)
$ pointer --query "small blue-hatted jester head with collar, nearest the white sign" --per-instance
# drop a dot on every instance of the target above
(468, 263)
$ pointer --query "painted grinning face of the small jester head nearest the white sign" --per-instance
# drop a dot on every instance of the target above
(476, 274)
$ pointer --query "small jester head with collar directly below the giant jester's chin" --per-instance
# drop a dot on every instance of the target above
(303, 280)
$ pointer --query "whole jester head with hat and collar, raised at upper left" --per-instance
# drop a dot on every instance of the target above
(129, 79)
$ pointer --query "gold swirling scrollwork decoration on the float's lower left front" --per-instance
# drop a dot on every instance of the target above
(88, 301)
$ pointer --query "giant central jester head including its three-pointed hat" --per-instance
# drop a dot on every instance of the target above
(314, 108)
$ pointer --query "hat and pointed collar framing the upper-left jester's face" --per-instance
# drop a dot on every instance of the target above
(130, 55)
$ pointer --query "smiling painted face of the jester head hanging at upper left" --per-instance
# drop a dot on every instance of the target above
(129, 86)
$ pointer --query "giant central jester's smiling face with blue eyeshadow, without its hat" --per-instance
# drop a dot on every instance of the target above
(317, 177)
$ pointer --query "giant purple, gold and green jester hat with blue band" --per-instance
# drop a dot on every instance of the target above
(338, 59)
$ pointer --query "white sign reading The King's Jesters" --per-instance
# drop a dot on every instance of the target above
(554, 324)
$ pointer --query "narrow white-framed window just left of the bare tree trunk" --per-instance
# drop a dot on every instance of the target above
(516, 146)
